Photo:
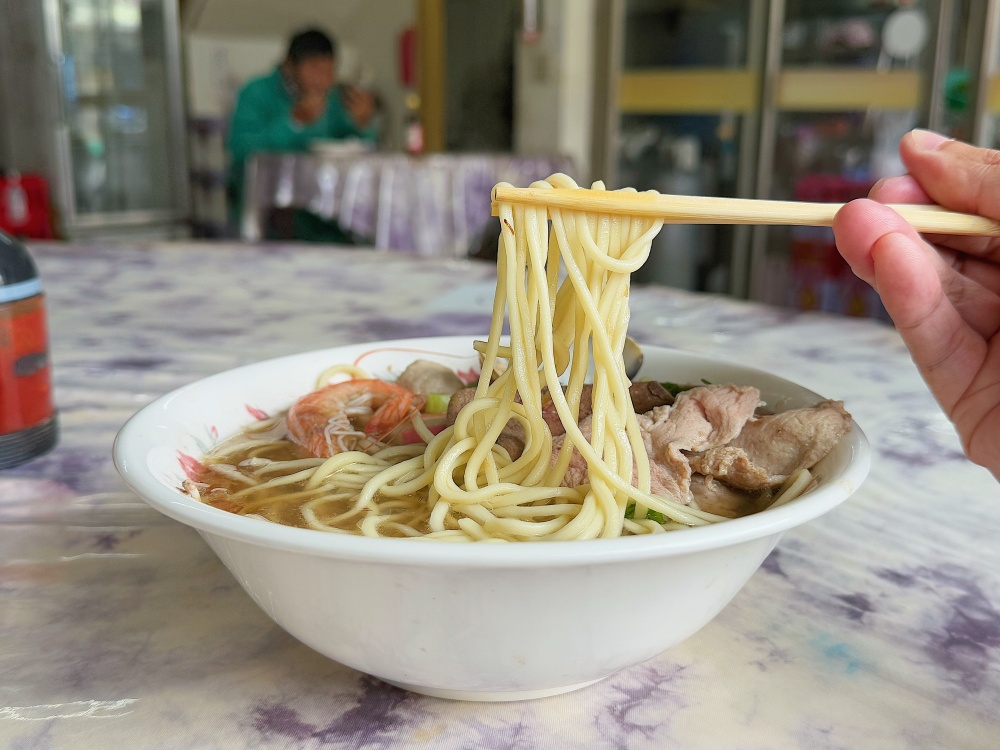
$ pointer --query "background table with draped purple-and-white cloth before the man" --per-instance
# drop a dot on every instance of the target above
(426, 205)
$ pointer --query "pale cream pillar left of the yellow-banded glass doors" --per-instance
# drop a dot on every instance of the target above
(553, 108)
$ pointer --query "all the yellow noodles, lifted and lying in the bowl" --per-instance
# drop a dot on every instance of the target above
(461, 485)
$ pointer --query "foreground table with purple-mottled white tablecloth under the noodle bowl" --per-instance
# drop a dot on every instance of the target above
(877, 626)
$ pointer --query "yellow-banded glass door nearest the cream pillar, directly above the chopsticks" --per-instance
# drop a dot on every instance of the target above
(688, 92)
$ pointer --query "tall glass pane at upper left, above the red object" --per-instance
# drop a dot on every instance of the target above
(120, 111)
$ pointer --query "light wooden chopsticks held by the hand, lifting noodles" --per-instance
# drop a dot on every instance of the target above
(688, 209)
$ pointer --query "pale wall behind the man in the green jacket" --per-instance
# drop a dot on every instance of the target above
(229, 41)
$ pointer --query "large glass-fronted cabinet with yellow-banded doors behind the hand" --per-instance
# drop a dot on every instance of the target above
(786, 99)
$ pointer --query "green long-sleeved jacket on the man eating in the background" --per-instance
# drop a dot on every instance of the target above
(262, 121)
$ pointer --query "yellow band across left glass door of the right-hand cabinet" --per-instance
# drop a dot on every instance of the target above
(687, 91)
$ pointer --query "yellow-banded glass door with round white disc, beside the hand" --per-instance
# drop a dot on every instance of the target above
(849, 80)
